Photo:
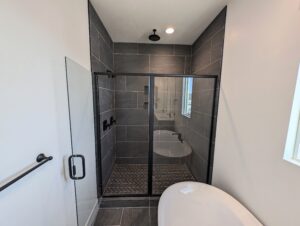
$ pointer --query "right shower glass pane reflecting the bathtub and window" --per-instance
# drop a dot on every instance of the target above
(181, 144)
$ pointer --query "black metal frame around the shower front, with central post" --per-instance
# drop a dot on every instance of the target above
(152, 77)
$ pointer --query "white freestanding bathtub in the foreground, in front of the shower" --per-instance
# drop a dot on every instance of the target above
(198, 204)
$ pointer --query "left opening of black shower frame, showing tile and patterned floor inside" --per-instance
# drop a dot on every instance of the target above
(125, 144)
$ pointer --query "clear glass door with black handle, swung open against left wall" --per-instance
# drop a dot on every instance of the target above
(82, 136)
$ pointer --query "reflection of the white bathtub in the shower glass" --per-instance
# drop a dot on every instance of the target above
(166, 144)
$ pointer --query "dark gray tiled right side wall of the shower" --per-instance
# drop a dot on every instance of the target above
(207, 53)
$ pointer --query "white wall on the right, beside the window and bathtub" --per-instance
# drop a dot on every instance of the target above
(261, 60)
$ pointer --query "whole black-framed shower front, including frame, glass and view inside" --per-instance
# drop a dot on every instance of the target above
(153, 130)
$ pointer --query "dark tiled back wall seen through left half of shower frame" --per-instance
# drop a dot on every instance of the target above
(131, 102)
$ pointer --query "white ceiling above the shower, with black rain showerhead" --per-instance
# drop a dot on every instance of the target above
(133, 20)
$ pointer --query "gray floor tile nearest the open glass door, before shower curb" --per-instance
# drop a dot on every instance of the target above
(108, 217)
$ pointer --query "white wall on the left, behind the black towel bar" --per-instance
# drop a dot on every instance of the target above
(35, 37)
